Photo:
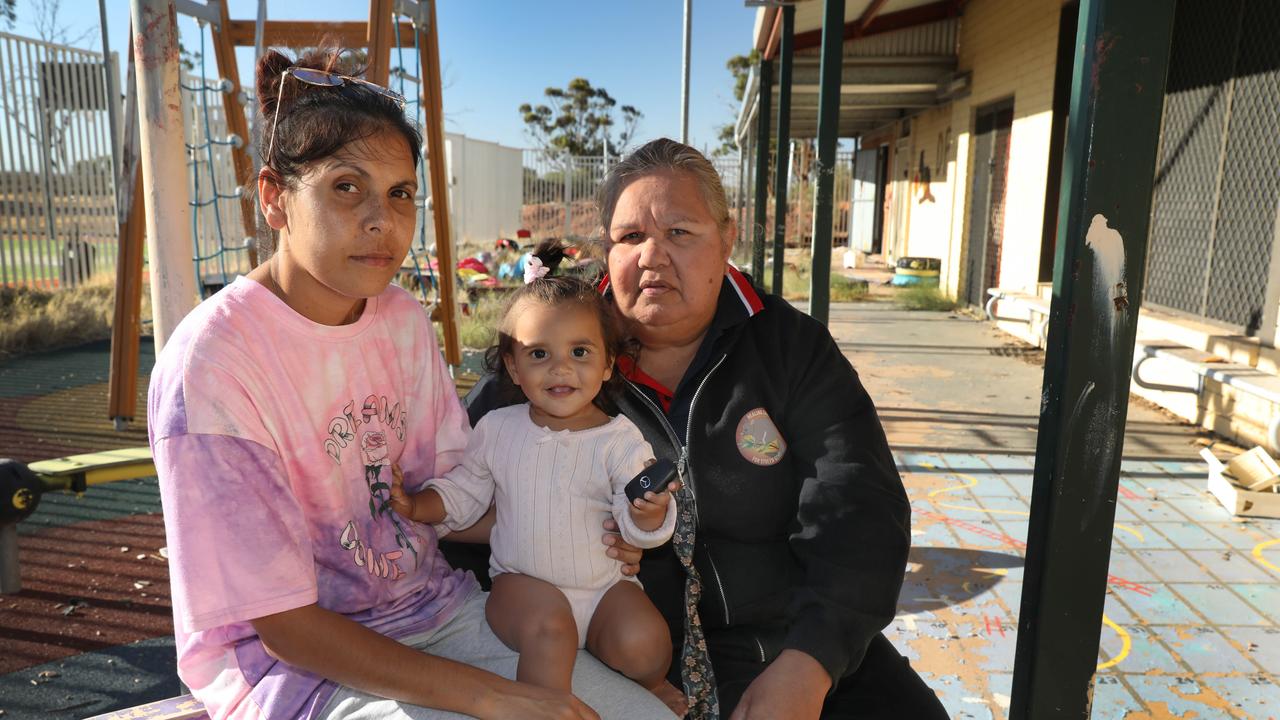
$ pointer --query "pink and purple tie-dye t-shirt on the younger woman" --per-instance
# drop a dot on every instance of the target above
(273, 440)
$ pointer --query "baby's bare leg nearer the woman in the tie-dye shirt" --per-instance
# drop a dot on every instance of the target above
(533, 618)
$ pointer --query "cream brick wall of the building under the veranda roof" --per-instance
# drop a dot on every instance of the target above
(1011, 47)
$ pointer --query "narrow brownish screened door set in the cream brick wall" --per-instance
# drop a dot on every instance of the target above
(988, 199)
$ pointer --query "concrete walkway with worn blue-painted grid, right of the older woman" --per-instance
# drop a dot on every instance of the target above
(1191, 613)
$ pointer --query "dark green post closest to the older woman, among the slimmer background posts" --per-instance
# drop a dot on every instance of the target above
(829, 127)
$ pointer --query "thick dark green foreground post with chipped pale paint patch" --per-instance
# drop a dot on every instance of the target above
(1122, 53)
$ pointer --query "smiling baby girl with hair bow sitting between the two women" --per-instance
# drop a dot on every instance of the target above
(556, 466)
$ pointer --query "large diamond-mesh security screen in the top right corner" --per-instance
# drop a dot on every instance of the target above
(1218, 176)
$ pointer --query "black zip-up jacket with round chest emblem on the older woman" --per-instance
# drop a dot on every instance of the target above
(802, 539)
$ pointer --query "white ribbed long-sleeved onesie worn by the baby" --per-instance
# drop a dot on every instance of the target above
(554, 491)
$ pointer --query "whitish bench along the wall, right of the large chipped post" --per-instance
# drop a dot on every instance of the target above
(1206, 366)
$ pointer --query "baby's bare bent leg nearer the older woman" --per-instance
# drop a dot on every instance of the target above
(629, 635)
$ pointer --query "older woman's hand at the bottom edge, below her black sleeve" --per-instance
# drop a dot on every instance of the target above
(793, 687)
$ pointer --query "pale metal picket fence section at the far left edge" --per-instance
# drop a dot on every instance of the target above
(58, 220)
